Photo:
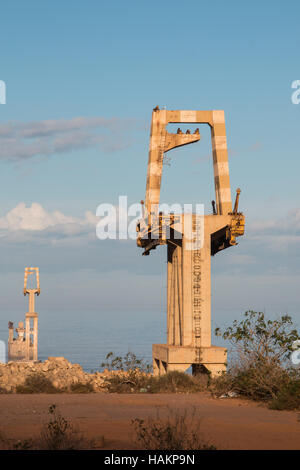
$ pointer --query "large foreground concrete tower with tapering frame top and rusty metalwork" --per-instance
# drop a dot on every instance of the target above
(191, 240)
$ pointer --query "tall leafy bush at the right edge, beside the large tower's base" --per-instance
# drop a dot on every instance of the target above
(262, 348)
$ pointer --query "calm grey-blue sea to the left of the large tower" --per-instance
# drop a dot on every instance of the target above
(86, 337)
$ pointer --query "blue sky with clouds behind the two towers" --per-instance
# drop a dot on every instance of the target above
(109, 64)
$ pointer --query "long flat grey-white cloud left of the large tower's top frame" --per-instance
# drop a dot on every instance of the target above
(21, 140)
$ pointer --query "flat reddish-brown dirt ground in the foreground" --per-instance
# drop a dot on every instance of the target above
(226, 423)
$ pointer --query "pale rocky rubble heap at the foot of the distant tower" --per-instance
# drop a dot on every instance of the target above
(62, 373)
